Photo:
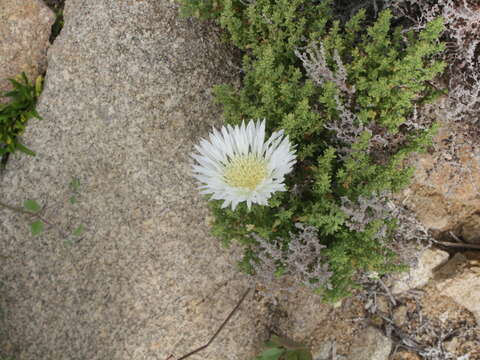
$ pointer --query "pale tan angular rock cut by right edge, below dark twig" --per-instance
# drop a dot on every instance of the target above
(460, 280)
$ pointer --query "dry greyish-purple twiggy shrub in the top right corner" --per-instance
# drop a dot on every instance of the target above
(463, 58)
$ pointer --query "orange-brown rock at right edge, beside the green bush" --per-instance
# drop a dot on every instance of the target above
(445, 189)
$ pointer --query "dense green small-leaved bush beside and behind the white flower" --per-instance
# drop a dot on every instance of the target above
(344, 94)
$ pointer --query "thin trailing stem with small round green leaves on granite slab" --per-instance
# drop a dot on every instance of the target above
(38, 223)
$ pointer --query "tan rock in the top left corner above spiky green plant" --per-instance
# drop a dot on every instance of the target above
(24, 33)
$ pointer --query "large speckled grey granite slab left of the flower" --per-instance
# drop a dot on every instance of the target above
(127, 93)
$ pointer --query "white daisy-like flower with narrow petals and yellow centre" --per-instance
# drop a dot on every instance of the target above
(237, 165)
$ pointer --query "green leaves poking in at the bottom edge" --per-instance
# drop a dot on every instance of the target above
(278, 348)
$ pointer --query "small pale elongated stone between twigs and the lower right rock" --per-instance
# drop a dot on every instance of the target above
(421, 273)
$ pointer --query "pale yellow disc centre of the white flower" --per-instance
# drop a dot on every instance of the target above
(246, 171)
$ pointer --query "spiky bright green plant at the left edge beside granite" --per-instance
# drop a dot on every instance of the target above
(15, 114)
